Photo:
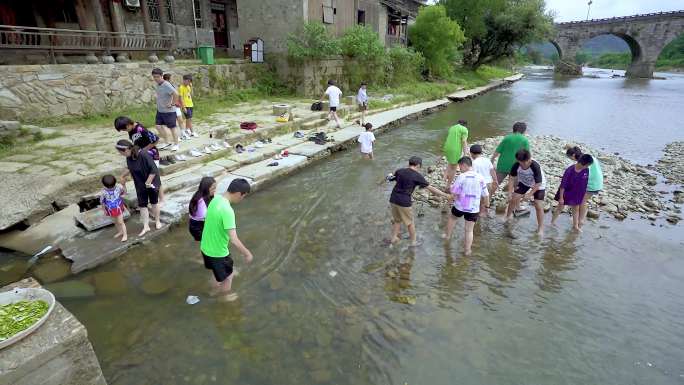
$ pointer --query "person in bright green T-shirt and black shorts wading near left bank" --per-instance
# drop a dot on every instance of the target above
(218, 234)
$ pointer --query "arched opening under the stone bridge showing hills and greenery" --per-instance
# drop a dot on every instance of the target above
(609, 50)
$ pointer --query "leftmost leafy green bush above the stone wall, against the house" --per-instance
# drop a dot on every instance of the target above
(312, 41)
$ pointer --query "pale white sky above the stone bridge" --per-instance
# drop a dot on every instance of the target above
(568, 10)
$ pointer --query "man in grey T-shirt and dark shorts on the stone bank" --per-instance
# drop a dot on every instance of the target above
(167, 97)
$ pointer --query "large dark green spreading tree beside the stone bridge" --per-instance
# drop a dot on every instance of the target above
(497, 28)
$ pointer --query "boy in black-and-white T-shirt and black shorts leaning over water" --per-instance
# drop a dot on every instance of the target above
(527, 181)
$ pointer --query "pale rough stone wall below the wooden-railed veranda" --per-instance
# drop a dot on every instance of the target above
(31, 92)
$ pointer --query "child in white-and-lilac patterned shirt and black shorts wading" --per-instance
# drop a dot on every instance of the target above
(468, 191)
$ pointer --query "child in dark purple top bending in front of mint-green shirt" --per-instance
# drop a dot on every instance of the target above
(572, 189)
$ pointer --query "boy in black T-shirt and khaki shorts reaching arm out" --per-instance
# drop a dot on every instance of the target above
(407, 179)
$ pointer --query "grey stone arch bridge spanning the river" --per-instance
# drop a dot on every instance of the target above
(646, 35)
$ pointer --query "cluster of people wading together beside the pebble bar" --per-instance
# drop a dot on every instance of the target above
(470, 192)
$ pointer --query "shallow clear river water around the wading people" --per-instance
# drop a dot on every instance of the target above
(602, 307)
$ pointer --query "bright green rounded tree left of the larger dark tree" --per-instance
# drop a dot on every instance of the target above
(437, 37)
